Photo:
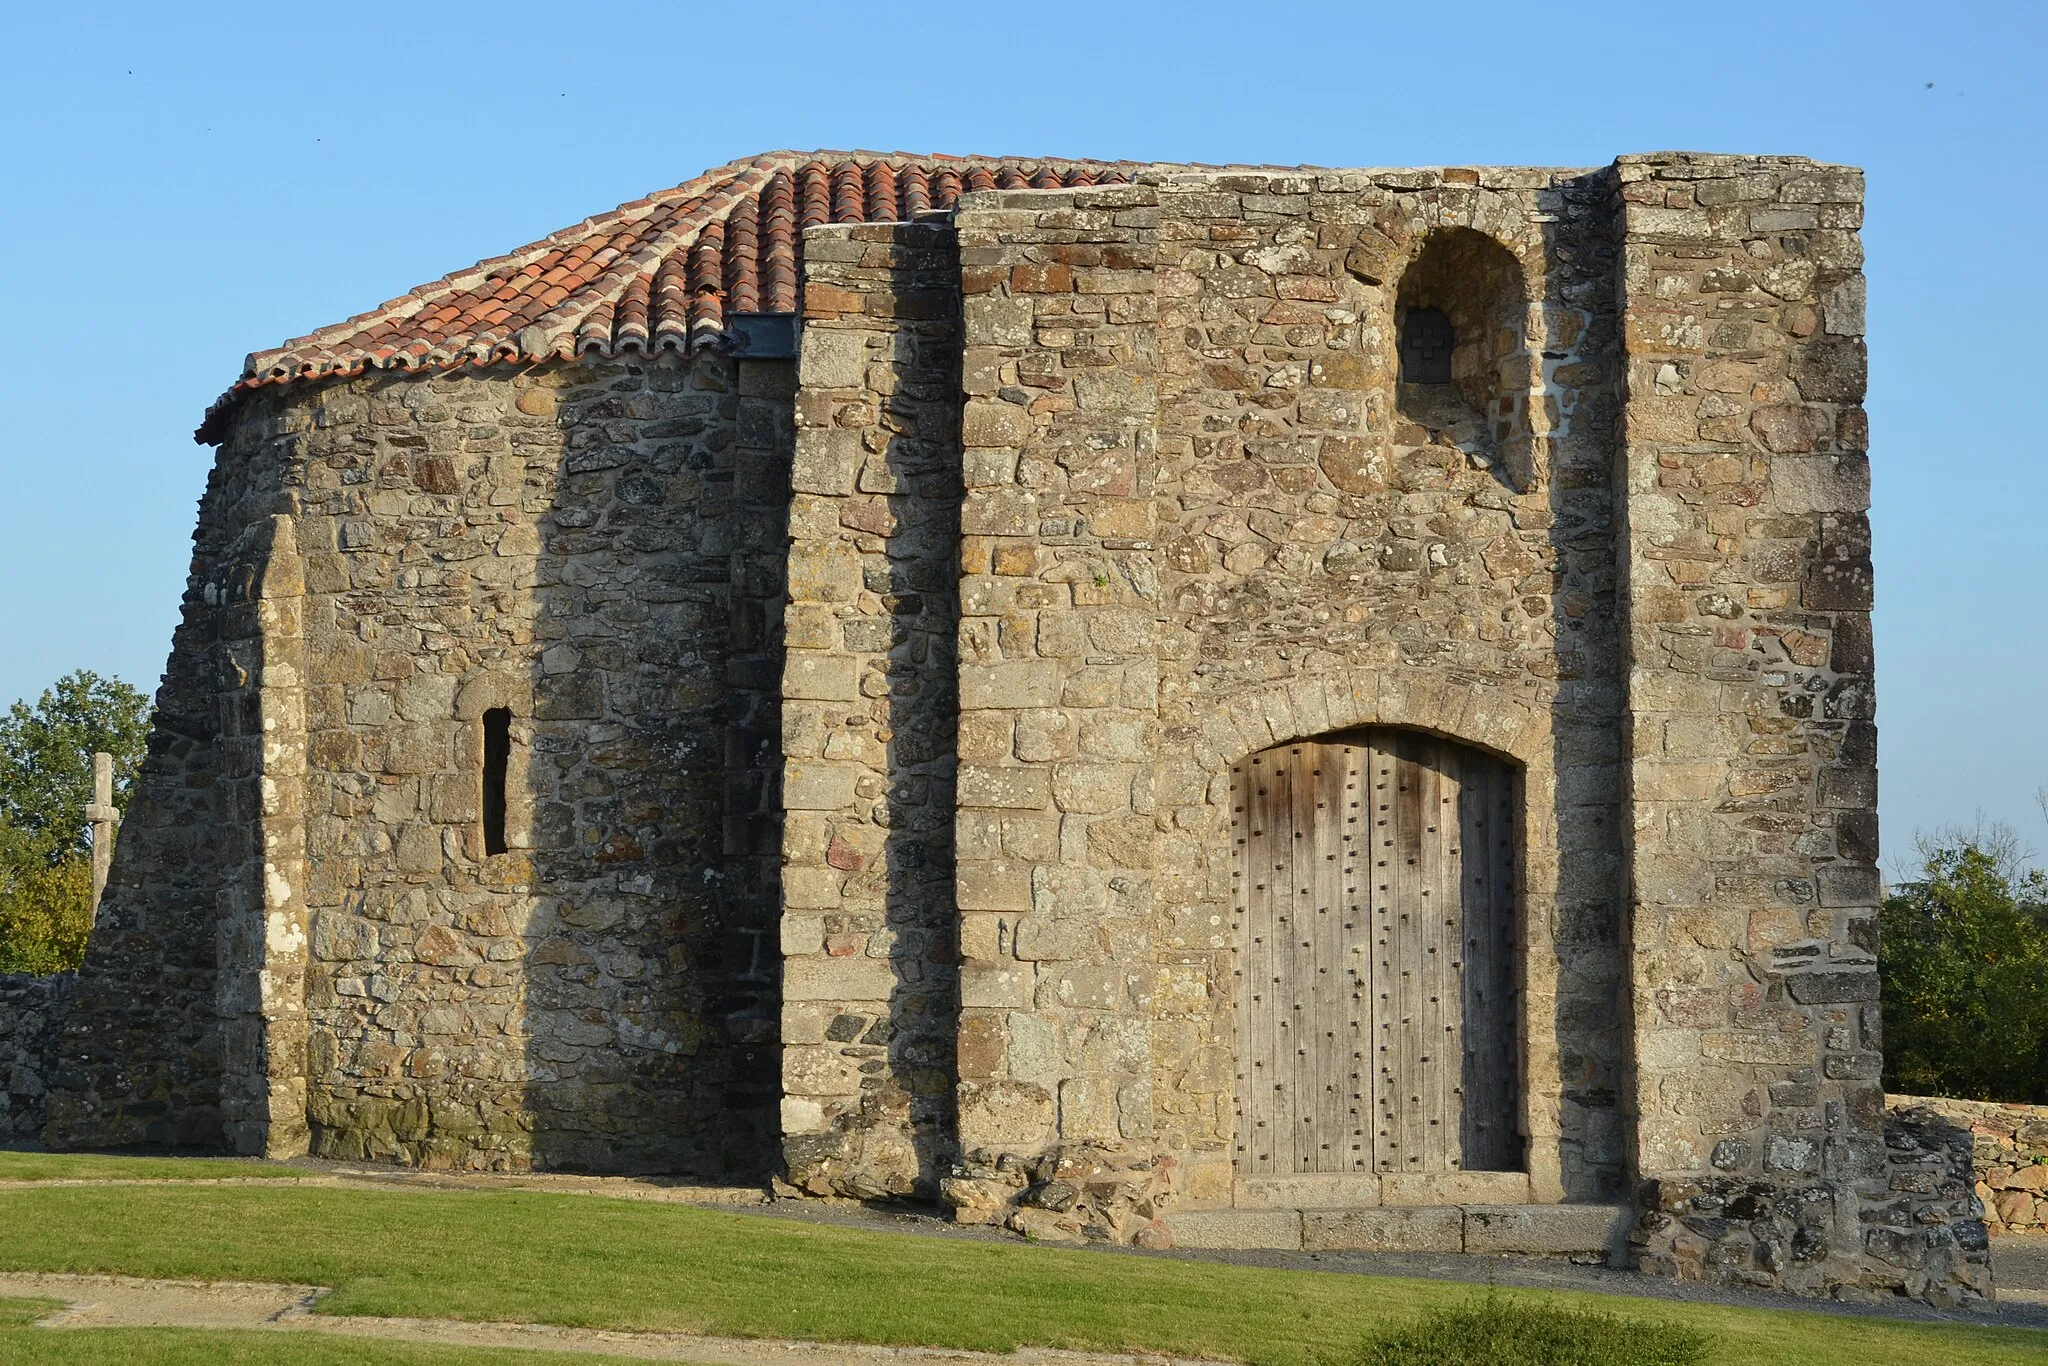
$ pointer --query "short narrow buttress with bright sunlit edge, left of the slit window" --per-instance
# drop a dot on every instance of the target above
(263, 943)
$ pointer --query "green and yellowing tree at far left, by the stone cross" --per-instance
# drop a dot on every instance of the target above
(46, 783)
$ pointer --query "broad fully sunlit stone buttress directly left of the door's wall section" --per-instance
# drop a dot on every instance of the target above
(1060, 699)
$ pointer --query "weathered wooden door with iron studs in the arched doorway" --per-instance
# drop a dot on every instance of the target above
(1377, 1017)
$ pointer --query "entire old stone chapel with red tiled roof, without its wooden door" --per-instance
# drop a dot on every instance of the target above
(873, 710)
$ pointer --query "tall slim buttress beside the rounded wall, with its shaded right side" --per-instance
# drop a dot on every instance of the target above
(869, 941)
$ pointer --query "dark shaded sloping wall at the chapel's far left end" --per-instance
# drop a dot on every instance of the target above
(177, 947)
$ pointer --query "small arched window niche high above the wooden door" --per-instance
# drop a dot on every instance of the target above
(1463, 374)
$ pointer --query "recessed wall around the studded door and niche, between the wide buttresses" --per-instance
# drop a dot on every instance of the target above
(1342, 550)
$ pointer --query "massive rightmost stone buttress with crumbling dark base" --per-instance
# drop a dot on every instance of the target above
(1752, 755)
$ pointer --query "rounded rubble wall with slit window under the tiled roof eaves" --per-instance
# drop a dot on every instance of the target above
(572, 546)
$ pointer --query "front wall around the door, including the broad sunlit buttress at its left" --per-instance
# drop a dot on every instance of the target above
(1205, 519)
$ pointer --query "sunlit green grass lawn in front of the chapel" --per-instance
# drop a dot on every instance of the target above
(589, 1263)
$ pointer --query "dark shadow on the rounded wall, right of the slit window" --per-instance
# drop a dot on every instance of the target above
(648, 763)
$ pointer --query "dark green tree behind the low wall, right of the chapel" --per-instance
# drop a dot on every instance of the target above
(1965, 966)
